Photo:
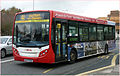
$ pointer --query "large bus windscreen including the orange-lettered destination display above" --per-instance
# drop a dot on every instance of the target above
(32, 29)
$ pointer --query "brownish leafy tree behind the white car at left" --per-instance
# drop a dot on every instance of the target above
(7, 19)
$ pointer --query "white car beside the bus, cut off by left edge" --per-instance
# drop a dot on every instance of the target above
(5, 45)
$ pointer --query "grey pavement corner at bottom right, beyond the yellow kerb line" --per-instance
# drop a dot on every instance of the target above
(108, 71)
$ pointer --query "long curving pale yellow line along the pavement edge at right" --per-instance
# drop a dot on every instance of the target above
(113, 62)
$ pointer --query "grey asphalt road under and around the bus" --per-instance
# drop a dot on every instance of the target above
(11, 67)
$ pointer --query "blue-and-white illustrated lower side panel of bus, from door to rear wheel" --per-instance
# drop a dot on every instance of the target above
(87, 48)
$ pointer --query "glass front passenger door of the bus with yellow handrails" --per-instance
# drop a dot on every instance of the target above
(61, 41)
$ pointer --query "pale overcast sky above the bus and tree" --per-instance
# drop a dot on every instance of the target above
(88, 8)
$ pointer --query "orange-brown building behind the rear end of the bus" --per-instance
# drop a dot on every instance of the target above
(113, 16)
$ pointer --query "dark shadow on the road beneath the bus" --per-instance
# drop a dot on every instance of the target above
(56, 65)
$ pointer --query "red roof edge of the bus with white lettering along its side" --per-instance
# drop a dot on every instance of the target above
(68, 16)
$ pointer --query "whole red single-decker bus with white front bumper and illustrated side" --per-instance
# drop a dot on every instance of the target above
(47, 36)
